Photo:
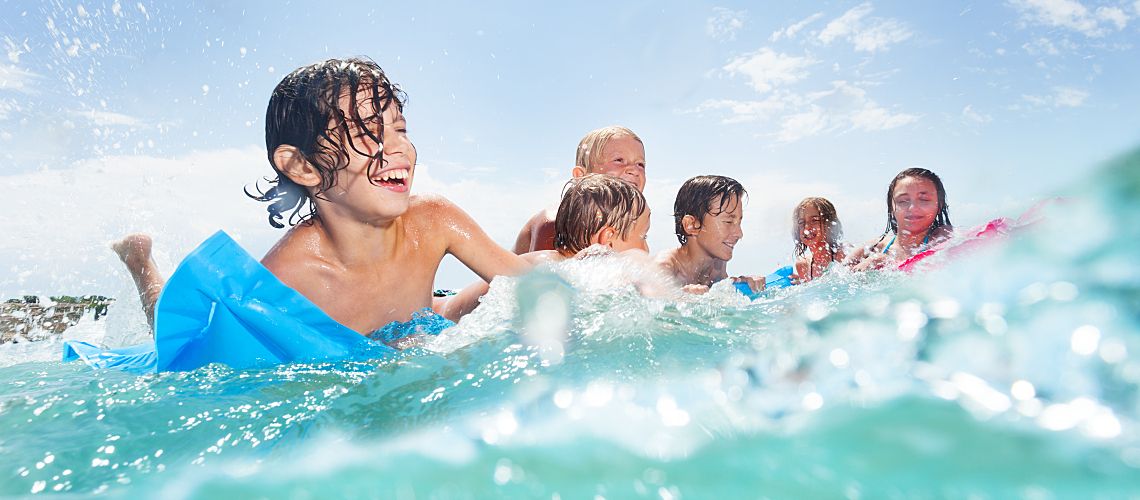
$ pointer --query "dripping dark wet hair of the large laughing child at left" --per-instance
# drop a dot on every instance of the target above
(305, 112)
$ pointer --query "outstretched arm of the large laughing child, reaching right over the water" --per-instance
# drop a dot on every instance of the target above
(468, 242)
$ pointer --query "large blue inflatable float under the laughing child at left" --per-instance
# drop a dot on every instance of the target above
(223, 307)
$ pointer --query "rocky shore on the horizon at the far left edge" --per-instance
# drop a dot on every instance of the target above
(34, 318)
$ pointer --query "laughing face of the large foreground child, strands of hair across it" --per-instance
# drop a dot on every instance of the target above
(386, 194)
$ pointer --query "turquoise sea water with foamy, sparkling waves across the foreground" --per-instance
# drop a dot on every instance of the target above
(1009, 373)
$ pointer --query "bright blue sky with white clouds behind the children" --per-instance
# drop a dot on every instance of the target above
(159, 109)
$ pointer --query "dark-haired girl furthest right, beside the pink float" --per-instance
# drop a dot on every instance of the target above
(918, 217)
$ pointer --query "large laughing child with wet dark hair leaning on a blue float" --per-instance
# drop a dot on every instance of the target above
(362, 248)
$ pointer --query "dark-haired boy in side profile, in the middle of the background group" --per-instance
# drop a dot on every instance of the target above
(707, 217)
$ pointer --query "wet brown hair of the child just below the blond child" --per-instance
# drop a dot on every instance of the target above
(592, 203)
